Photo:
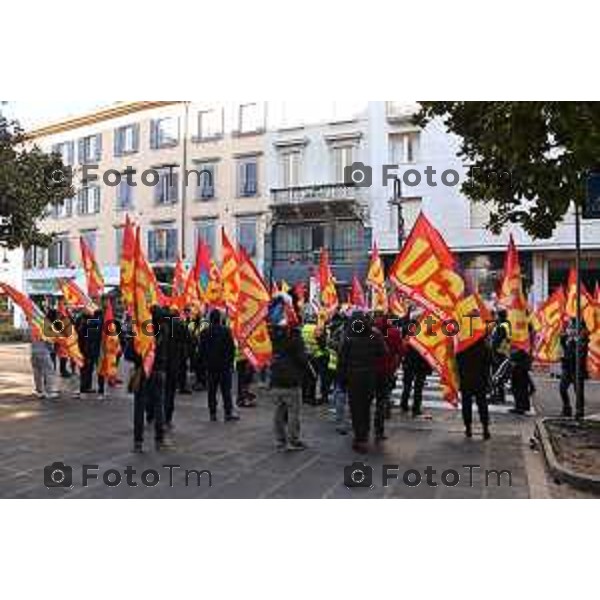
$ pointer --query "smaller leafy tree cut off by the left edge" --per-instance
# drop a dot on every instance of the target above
(29, 184)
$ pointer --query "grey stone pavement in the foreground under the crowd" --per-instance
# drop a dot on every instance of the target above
(241, 456)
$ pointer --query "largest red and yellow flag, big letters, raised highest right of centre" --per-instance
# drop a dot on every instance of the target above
(425, 270)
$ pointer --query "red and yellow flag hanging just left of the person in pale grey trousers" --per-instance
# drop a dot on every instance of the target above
(253, 303)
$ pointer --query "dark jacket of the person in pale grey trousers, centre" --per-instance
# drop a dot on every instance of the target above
(289, 364)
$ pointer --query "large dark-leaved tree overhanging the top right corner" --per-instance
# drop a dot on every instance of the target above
(529, 160)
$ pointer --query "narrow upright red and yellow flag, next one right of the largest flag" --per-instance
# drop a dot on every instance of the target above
(511, 297)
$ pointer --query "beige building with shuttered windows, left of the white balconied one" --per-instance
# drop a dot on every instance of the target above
(195, 166)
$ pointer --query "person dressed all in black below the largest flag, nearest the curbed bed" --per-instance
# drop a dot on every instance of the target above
(473, 370)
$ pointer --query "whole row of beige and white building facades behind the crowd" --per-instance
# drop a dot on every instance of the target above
(274, 176)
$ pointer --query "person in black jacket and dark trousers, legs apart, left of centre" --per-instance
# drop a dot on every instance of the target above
(218, 352)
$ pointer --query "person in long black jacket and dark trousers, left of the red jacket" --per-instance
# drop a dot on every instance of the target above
(360, 351)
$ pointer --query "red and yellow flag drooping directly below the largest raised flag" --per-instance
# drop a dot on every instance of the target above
(437, 348)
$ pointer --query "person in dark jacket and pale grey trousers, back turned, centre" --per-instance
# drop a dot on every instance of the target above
(289, 366)
